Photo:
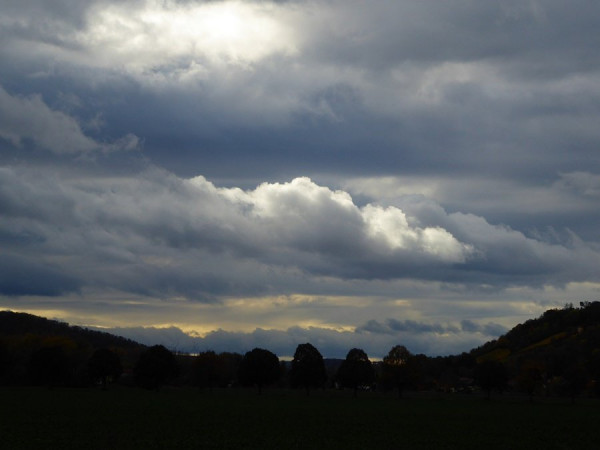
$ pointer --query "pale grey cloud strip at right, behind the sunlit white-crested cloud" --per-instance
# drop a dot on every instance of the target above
(550, 212)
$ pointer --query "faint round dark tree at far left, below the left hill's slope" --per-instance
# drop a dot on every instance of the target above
(49, 366)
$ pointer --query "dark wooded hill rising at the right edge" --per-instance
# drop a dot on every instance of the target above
(558, 353)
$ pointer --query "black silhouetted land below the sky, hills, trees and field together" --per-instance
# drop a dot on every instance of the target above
(545, 372)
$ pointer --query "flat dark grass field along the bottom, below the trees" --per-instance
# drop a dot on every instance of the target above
(124, 418)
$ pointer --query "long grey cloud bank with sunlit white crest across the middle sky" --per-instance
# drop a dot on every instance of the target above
(157, 234)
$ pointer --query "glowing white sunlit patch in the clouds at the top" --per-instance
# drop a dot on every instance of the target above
(178, 38)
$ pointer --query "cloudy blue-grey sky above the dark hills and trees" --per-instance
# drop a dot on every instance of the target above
(235, 174)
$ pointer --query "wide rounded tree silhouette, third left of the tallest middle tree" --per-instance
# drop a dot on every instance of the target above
(155, 367)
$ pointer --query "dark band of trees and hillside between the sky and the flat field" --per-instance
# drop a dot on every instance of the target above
(556, 354)
